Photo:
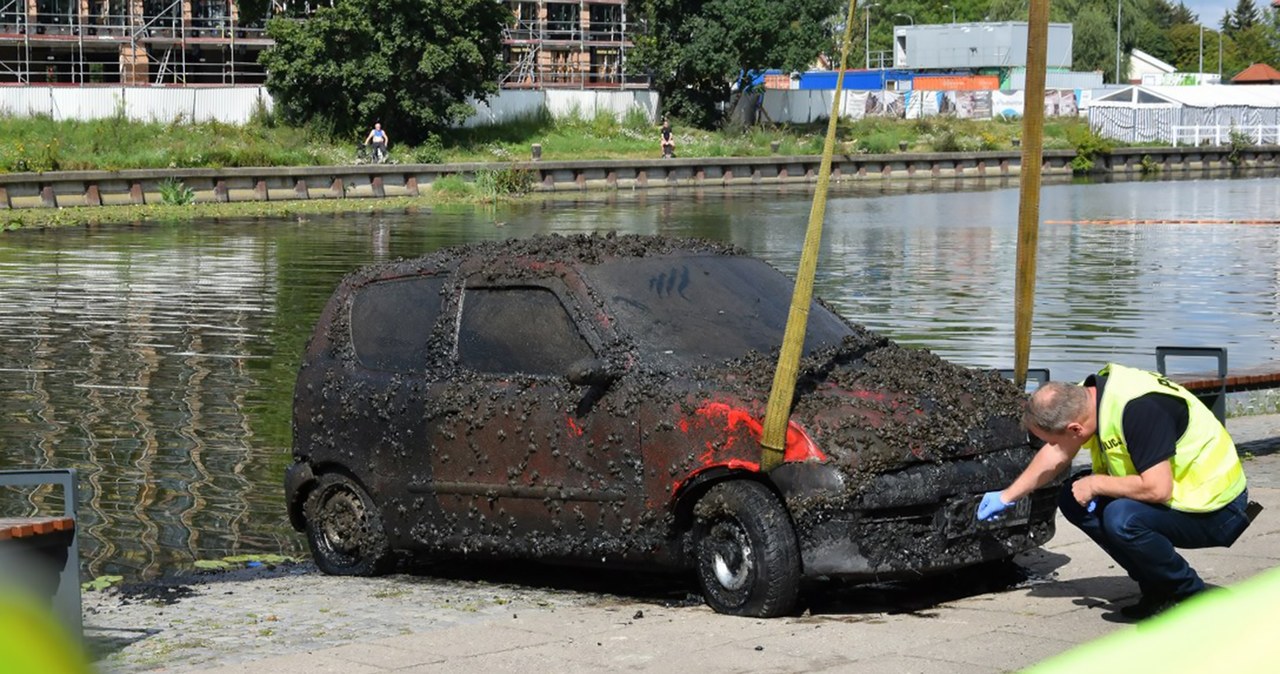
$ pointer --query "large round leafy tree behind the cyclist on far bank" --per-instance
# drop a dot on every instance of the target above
(410, 65)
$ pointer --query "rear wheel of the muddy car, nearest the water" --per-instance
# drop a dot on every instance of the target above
(345, 530)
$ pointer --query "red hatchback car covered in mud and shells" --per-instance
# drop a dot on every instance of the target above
(598, 401)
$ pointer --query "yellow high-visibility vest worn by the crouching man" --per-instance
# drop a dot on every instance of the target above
(1208, 473)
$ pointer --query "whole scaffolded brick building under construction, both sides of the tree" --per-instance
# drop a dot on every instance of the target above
(579, 44)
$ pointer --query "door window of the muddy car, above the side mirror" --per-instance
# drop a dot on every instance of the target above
(518, 331)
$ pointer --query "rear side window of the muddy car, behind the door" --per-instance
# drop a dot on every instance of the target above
(392, 322)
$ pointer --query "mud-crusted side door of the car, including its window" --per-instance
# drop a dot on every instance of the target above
(537, 466)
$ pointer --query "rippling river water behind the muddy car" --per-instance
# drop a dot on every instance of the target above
(159, 359)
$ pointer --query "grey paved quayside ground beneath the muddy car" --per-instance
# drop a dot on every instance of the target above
(506, 618)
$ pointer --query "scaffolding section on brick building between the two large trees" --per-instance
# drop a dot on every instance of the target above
(579, 44)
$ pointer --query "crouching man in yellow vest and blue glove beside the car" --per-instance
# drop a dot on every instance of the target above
(1165, 475)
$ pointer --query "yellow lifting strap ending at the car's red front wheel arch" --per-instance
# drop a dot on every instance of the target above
(779, 412)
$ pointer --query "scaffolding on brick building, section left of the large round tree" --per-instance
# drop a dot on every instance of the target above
(161, 43)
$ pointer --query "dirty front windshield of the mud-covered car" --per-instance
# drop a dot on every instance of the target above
(696, 310)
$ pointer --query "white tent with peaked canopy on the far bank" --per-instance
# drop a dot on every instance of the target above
(1182, 116)
